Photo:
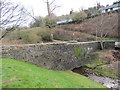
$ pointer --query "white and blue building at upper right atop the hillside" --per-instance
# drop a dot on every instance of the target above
(110, 8)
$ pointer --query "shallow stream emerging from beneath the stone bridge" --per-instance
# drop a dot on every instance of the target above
(108, 82)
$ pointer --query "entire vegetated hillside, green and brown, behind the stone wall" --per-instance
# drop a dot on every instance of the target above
(85, 31)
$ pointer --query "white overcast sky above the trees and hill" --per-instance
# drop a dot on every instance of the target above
(40, 9)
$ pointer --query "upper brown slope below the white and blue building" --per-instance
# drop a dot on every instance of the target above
(109, 25)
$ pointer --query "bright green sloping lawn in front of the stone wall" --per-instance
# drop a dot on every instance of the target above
(17, 74)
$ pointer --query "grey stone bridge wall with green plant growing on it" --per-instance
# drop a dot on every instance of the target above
(54, 56)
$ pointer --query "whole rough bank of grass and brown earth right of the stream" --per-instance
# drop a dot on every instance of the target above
(100, 62)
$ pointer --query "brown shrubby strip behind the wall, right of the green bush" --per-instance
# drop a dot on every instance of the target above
(62, 34)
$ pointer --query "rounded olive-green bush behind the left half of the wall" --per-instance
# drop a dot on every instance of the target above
(29, 36)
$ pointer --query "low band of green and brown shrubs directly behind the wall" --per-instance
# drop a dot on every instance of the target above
(39, 35)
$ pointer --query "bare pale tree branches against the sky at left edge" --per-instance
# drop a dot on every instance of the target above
(11, 15)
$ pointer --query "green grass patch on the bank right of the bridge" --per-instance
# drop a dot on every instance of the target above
(101, 64)
